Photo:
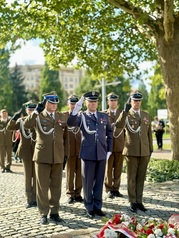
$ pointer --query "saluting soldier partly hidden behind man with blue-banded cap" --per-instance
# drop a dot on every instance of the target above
(25, 151)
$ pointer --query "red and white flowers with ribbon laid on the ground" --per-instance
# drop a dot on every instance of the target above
(121, 225)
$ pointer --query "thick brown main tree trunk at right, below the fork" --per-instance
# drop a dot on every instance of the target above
(169, 62)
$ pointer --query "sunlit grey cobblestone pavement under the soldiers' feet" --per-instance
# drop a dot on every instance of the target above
(161, 199)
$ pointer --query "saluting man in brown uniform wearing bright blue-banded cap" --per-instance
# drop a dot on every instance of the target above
(50, 149)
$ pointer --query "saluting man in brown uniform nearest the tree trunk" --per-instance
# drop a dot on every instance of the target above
(137, 148)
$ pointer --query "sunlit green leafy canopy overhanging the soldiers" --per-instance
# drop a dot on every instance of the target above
(95, 33)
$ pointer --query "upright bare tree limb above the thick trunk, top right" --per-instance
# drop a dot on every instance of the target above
(168, 22)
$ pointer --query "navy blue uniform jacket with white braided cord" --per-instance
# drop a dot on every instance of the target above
(93, 146)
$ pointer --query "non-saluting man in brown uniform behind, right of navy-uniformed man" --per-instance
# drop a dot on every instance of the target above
(115, 163)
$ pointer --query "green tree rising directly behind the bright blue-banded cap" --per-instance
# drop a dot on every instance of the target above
(50, 82)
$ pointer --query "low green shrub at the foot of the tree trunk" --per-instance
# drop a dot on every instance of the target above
(162, 170)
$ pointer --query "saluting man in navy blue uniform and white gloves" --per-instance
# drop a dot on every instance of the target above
(96, 147)
